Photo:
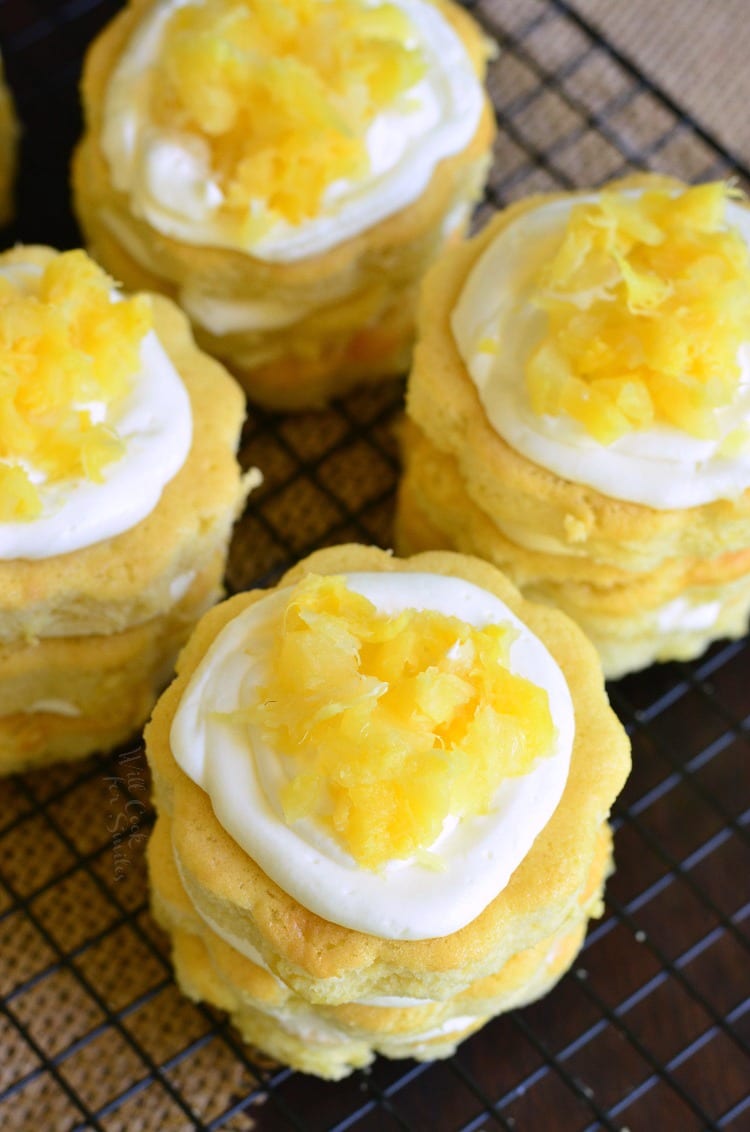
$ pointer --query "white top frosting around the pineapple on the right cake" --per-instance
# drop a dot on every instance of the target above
(662, 467)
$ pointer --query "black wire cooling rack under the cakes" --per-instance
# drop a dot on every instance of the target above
(652, 1030)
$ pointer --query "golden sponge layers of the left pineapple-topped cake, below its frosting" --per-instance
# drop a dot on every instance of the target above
(89, 637)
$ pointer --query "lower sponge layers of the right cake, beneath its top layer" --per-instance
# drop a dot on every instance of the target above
(671, 612)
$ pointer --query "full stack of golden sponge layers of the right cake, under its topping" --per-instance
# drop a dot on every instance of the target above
(646, 581)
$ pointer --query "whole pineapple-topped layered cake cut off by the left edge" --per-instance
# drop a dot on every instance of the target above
(115, 513)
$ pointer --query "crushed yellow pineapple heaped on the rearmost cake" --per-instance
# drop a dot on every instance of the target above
(282, 96)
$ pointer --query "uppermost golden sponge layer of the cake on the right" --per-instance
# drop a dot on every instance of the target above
(539, 510)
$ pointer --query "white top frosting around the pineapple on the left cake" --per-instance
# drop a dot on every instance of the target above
(154, 422)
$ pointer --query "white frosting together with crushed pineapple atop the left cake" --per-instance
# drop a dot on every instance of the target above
(96, 418)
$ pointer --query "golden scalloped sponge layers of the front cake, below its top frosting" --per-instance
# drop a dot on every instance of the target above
(325, 998)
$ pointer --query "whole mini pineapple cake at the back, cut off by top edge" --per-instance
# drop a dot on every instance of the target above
(286, 173)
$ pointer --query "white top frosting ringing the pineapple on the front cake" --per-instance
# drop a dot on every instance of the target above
(407, 901)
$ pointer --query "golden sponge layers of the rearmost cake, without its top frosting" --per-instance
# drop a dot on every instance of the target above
(295, 333)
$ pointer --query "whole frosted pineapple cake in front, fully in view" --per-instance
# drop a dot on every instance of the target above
(383, 793)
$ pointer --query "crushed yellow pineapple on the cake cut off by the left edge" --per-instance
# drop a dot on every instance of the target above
(64, 345)
